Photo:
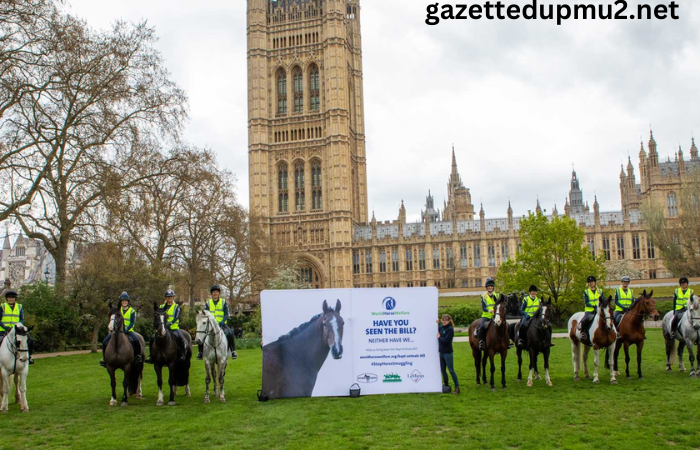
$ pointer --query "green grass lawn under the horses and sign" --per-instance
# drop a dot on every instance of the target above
(68, 398)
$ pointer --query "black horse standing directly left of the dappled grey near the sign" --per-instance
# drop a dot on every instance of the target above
(164, 353)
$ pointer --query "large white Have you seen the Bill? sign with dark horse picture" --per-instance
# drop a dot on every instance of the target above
(320, 342)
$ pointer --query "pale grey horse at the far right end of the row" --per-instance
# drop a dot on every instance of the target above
(687, 334)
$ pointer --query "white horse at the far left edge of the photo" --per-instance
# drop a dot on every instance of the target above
(14, 360)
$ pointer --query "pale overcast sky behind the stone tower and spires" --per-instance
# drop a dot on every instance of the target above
(521, 101)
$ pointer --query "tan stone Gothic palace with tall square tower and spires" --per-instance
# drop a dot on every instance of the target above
(308, 175)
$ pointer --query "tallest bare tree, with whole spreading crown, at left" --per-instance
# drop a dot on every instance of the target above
(113, 93)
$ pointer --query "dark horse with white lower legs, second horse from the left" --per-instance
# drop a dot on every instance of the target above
(119, 354)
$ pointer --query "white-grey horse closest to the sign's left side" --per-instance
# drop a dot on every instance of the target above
(216, 352)
